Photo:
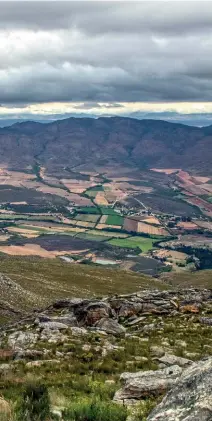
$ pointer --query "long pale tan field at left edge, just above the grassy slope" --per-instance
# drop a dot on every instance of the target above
(35, 250)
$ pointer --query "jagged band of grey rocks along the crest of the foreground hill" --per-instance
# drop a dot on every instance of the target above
(129, 310)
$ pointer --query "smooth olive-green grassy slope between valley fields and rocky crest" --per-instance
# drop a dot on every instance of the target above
(40, 281)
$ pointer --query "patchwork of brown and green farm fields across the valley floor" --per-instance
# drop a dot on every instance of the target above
(102, 214)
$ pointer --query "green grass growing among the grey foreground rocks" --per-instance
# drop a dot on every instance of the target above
(78, 382)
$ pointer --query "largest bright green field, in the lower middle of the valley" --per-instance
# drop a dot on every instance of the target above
(145, 244)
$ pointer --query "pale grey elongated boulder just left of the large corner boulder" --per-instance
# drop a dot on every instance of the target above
(144, 384)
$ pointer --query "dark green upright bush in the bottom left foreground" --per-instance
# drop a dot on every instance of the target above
(34, 404)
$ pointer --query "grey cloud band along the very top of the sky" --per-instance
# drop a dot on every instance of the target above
(108, 16)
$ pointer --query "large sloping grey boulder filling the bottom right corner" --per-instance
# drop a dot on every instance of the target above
(190, 399)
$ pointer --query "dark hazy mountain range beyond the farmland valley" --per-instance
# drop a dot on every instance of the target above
(106, 140)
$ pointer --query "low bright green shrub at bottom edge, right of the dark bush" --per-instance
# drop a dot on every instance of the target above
(95, 411)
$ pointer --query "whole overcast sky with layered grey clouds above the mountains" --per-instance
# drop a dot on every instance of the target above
(105, 57)
